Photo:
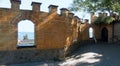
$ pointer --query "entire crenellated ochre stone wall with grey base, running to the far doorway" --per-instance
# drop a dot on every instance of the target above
(55, 35)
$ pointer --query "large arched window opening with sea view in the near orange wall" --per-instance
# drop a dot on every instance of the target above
(26, 34)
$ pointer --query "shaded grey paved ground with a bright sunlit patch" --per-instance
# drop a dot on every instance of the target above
(102, 54)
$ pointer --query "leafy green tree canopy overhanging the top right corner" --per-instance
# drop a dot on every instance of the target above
(96, 5)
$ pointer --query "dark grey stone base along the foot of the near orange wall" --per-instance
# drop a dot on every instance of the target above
(29, 55)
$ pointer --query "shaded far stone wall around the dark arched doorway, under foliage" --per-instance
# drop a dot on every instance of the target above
(98, 29)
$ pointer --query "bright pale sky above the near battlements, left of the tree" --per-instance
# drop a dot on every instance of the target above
(26, 4)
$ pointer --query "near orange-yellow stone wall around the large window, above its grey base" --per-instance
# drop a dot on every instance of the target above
(52, 30)
